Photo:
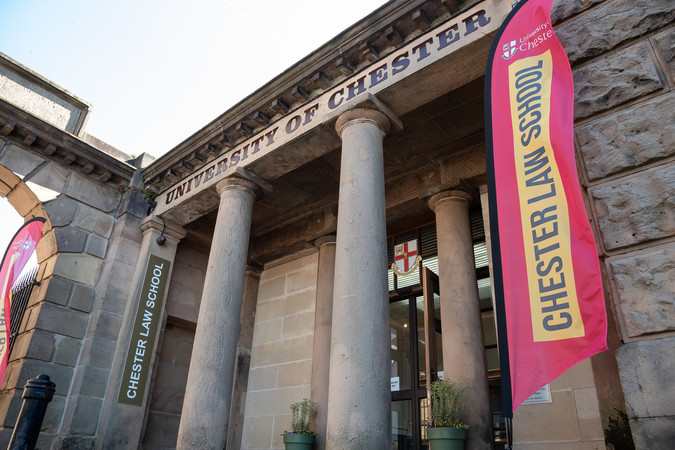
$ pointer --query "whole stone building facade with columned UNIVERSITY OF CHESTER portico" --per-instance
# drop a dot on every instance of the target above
(187, 301)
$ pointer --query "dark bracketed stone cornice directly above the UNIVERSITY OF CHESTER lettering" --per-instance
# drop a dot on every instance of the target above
(376, 36)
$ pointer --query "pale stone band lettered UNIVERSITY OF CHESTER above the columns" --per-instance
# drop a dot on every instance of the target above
(385, 74)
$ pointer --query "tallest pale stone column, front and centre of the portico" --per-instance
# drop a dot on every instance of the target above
(359, 402)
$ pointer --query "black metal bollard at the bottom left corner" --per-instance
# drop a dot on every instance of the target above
(36, 396)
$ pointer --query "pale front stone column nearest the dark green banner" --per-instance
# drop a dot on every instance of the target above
(206, 408)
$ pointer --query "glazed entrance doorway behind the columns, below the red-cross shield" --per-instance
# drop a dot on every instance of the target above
(416, 352)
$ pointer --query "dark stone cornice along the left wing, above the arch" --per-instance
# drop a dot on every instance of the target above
(60, 146)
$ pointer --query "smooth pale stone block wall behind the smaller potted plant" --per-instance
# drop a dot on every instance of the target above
(281, 356)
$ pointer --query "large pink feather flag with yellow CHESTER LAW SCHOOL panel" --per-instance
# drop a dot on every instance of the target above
(545, 257)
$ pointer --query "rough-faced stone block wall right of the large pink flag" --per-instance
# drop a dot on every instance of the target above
(622, 55)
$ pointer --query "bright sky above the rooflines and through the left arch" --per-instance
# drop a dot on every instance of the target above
(156, 71)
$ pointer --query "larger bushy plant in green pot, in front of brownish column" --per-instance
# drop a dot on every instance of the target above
(445, 430)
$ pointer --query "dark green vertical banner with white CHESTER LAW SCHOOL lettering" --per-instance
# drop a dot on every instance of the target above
(139, 356)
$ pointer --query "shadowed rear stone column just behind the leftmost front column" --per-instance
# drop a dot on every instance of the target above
(243, 359)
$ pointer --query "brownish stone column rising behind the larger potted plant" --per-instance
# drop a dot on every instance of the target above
(461, 324)
